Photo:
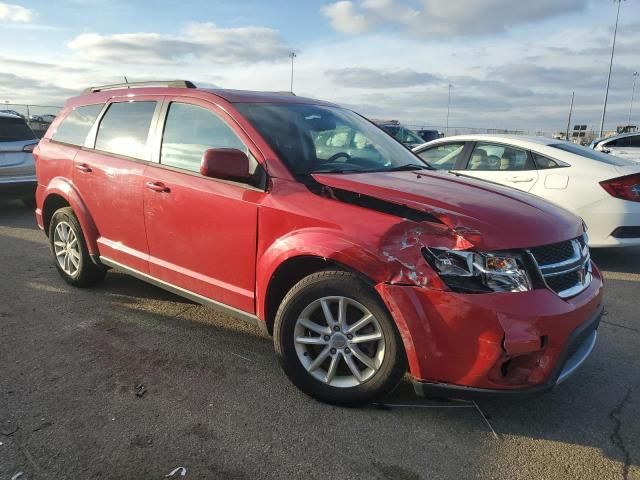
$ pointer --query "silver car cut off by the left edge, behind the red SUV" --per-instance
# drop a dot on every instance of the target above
(17, 169)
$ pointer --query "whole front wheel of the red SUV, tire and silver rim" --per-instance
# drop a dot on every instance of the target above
(336, 340)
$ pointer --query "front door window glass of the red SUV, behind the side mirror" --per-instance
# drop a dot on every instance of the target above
(191, 130)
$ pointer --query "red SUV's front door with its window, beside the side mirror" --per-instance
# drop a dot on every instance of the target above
(202, 232)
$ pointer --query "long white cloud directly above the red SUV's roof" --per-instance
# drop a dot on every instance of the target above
(198, 41)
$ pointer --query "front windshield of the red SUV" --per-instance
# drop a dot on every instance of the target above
(315, 139)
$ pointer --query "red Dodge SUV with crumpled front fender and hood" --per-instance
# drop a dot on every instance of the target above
(304, 217)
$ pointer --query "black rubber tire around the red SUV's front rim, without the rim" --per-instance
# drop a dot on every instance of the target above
(338, 283)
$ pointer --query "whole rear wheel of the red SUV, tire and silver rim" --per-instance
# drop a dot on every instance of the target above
(70, 252)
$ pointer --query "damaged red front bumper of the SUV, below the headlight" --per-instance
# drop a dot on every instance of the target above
(523, 342)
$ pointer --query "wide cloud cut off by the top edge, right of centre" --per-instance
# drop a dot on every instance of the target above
(429, 18)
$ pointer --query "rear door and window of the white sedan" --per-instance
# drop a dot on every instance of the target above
(503, 164)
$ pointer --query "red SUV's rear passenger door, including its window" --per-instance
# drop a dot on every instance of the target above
(110, 178)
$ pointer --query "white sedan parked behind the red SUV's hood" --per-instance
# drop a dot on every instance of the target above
(604, 190)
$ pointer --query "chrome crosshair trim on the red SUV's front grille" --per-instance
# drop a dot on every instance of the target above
(579, 262)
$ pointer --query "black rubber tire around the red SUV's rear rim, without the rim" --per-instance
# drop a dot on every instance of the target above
(88, 273)
